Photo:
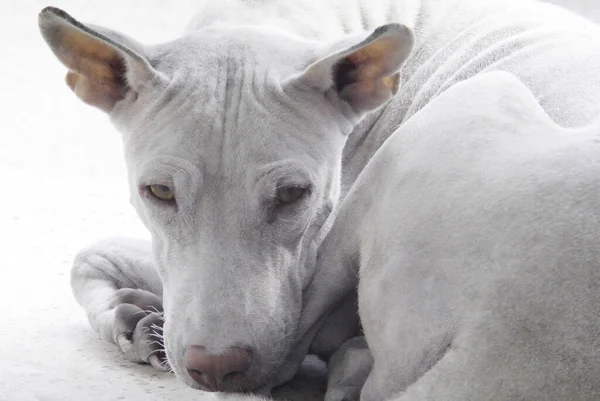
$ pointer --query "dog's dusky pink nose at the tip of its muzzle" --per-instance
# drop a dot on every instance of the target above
(212, 371)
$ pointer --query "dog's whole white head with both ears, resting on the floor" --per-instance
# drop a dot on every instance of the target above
(233, 139)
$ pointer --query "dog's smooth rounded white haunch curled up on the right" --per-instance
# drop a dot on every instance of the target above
(493, 293)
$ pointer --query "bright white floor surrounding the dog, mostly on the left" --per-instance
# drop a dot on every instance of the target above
(62, 185)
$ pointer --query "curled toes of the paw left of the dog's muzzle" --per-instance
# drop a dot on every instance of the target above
(138, 328)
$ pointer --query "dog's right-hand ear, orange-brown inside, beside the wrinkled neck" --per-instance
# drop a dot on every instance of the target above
(367, 74)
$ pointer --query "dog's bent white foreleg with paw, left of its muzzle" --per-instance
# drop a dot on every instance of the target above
(116, 282)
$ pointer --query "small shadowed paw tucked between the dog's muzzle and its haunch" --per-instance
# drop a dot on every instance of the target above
(349, 368)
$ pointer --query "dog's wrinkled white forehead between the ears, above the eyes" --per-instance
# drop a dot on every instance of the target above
(226, 99)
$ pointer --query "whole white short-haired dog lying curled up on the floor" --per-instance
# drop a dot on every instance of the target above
(242, 136)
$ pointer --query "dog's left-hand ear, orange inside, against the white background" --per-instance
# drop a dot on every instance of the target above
(103, 65)
